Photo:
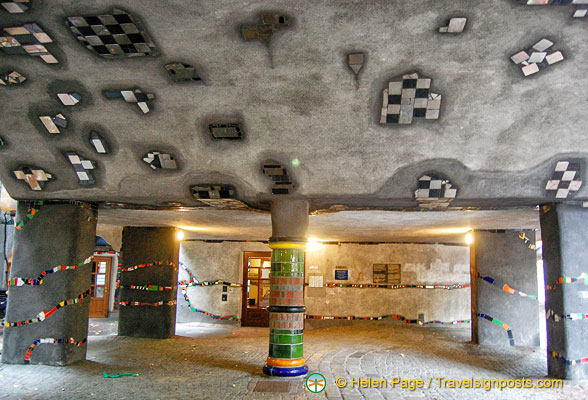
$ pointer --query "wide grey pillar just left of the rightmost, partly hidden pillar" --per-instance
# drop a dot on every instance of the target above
(505, 295)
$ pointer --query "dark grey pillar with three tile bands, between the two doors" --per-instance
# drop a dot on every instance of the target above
(148, 312)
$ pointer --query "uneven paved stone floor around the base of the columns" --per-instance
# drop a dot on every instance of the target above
(223, 362)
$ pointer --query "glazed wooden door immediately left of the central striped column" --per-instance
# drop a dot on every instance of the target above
(256, 288)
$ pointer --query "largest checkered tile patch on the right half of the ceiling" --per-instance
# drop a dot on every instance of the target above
(409, 98)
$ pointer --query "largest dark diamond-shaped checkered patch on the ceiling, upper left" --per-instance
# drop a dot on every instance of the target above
(117, 35)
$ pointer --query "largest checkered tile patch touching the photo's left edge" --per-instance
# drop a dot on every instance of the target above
(27, 39)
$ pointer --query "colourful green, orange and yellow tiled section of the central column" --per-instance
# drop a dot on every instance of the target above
(286, 310)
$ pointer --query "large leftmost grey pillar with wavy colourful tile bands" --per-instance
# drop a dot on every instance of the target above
(53, 307)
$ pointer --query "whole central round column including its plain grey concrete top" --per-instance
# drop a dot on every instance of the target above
(289, 224)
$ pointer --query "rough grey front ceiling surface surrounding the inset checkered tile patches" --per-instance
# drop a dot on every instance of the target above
(497, 139)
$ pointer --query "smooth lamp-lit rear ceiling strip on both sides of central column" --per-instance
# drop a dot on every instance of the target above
(363, 226)
